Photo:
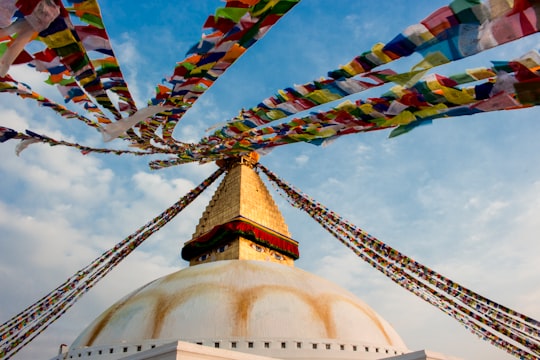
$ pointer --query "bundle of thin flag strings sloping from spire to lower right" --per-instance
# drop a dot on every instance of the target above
(516, 333)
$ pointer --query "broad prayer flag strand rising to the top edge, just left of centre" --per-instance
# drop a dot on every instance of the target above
(234, 28)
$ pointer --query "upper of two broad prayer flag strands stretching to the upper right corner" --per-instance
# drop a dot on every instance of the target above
(462, 29)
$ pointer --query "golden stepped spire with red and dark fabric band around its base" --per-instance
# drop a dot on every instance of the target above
(242, 221)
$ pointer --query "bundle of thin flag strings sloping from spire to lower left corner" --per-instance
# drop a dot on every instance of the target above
(25, 326)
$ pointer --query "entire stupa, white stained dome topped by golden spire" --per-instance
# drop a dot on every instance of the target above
(241, 297)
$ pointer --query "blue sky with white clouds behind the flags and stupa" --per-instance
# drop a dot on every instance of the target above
(461, 196)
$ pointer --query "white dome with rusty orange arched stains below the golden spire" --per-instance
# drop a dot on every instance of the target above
(242, 300)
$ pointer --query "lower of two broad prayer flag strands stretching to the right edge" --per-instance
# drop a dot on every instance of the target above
(507, 85)
